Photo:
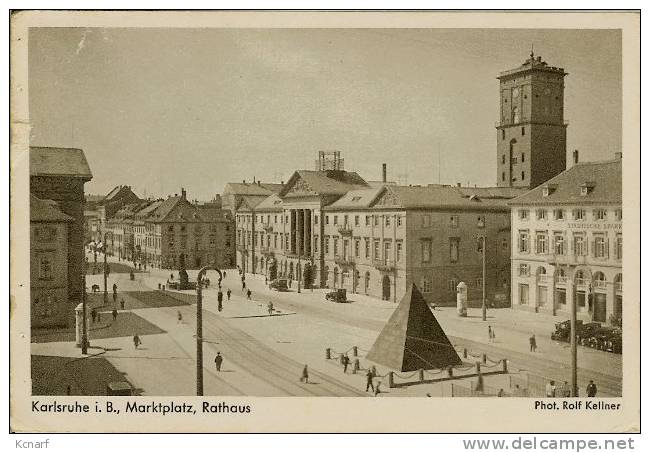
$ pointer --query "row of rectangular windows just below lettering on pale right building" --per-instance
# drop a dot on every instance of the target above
(580, 247)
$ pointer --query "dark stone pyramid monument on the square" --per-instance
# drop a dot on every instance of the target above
(413, 339)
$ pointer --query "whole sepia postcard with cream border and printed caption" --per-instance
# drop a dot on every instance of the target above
(325, 221)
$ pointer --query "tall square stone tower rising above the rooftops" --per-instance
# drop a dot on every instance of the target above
(531, 133)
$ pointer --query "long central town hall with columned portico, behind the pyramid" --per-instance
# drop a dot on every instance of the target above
(379, 240)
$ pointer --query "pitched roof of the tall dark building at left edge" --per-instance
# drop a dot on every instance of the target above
(58, 162)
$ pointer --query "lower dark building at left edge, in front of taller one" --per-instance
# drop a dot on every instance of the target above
(48, 264)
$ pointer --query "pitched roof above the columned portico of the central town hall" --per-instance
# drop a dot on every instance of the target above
(330, 182)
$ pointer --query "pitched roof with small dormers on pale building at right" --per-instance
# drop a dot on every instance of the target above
(604, 179)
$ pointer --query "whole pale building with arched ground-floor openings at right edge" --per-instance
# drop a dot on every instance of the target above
(569, 244)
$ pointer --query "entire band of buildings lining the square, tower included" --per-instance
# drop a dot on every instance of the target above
(551, 232)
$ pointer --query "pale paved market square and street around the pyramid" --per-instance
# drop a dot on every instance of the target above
(264, 355)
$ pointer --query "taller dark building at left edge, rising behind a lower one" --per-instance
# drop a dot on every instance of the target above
(59, 174)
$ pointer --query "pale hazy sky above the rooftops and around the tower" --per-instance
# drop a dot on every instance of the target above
(161, 109)
